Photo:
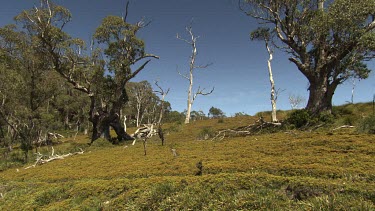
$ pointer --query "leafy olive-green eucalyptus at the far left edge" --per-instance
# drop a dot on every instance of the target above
(27, 83)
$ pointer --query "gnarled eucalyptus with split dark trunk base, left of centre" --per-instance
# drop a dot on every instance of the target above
(117, 56)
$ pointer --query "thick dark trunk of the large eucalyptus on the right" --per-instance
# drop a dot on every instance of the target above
(321, 93)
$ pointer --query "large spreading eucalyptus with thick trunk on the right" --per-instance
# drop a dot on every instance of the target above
(328, 41)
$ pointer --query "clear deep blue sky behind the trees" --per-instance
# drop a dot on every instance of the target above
(239, 71)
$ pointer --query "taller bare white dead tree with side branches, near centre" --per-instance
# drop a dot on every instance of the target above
(190, 76)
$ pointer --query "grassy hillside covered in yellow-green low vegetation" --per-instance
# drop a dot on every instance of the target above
(288, 170)
